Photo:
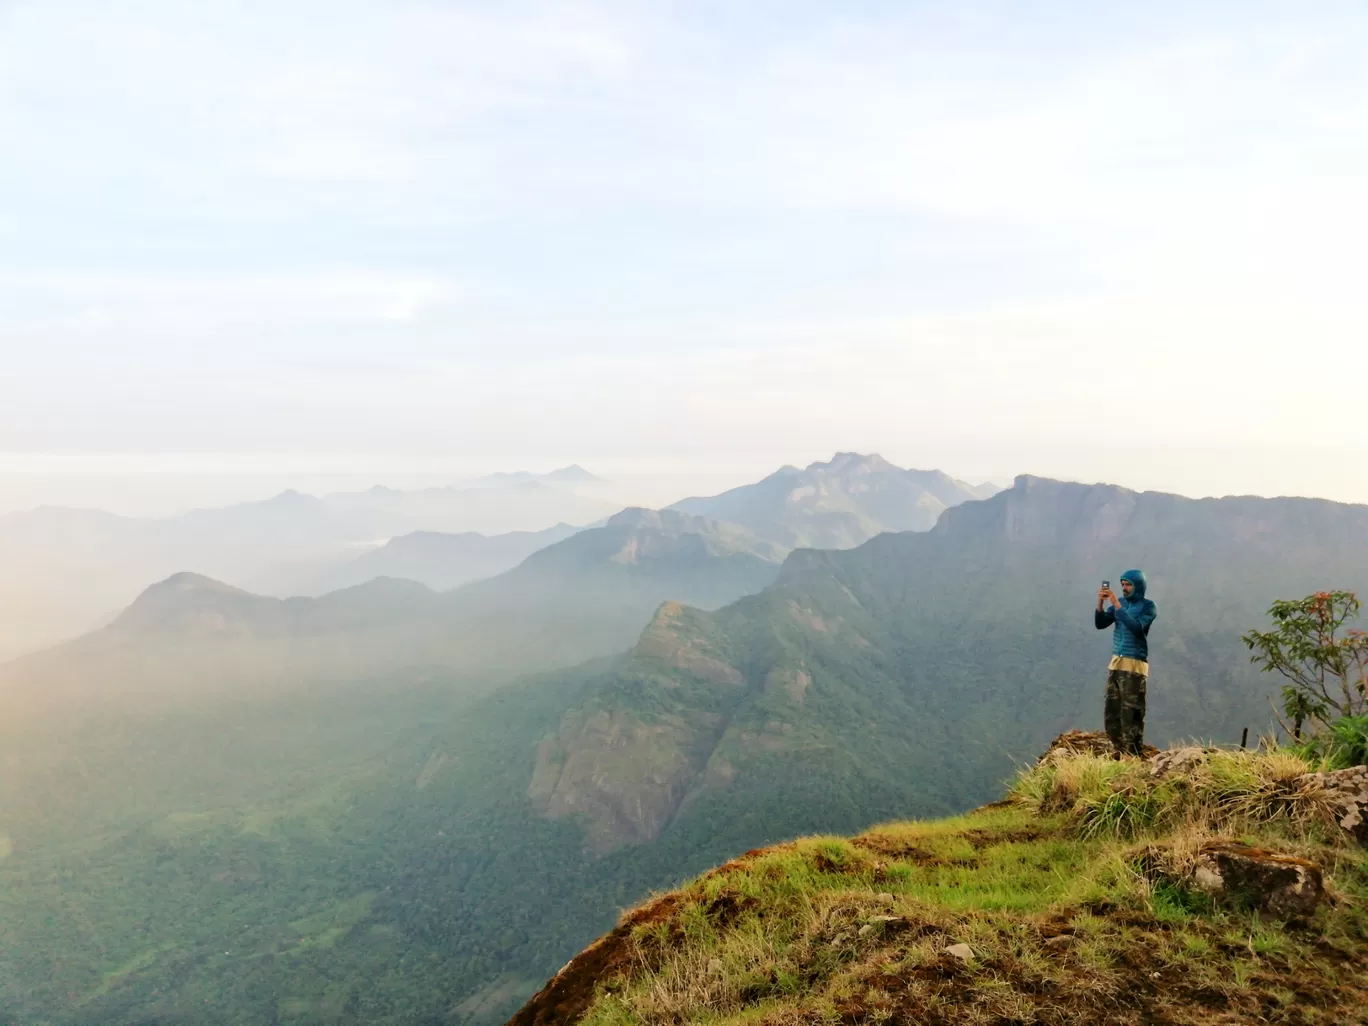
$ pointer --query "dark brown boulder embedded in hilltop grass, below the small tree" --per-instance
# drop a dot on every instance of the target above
(1282, 886)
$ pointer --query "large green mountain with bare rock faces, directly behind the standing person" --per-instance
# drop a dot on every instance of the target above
(965, 646)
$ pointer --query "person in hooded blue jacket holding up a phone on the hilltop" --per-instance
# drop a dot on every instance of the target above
(1129, 670)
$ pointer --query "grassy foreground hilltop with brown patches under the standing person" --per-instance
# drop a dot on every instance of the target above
(1080, 899)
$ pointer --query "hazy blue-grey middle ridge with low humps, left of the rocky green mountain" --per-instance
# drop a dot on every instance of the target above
(585, 597)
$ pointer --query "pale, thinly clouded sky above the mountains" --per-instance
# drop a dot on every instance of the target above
(247, 246)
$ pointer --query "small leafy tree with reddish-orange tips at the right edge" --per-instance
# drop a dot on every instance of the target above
(1325, 663)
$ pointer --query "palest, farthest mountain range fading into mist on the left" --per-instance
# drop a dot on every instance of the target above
(70, 570)
